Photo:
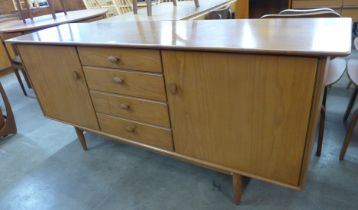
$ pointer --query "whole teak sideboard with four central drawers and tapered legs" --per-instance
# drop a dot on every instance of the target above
(238, 96)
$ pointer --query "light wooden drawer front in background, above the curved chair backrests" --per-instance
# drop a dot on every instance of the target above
(316, 3)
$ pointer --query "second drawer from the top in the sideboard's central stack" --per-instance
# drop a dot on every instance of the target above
(129, 83)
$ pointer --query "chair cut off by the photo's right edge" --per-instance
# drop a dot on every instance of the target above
(353, 75)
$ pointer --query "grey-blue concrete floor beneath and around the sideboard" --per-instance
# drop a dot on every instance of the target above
(44, 167)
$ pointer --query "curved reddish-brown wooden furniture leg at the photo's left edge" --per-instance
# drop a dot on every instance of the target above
(7, 119)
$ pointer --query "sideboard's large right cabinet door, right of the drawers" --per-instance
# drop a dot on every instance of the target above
(246, 112)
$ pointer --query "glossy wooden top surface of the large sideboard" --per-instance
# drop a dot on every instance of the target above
(311, 37)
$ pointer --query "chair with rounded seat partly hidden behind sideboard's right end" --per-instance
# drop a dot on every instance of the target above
(336, 67)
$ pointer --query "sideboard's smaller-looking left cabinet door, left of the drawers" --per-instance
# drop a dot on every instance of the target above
(58, 80)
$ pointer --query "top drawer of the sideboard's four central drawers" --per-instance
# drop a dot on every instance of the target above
(132, 59)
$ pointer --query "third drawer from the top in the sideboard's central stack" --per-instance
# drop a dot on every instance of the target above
(141, 110)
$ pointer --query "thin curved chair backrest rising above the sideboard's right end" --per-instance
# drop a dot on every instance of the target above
(305, 13)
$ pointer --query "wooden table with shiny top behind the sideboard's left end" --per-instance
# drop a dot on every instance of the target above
(17, 27)
